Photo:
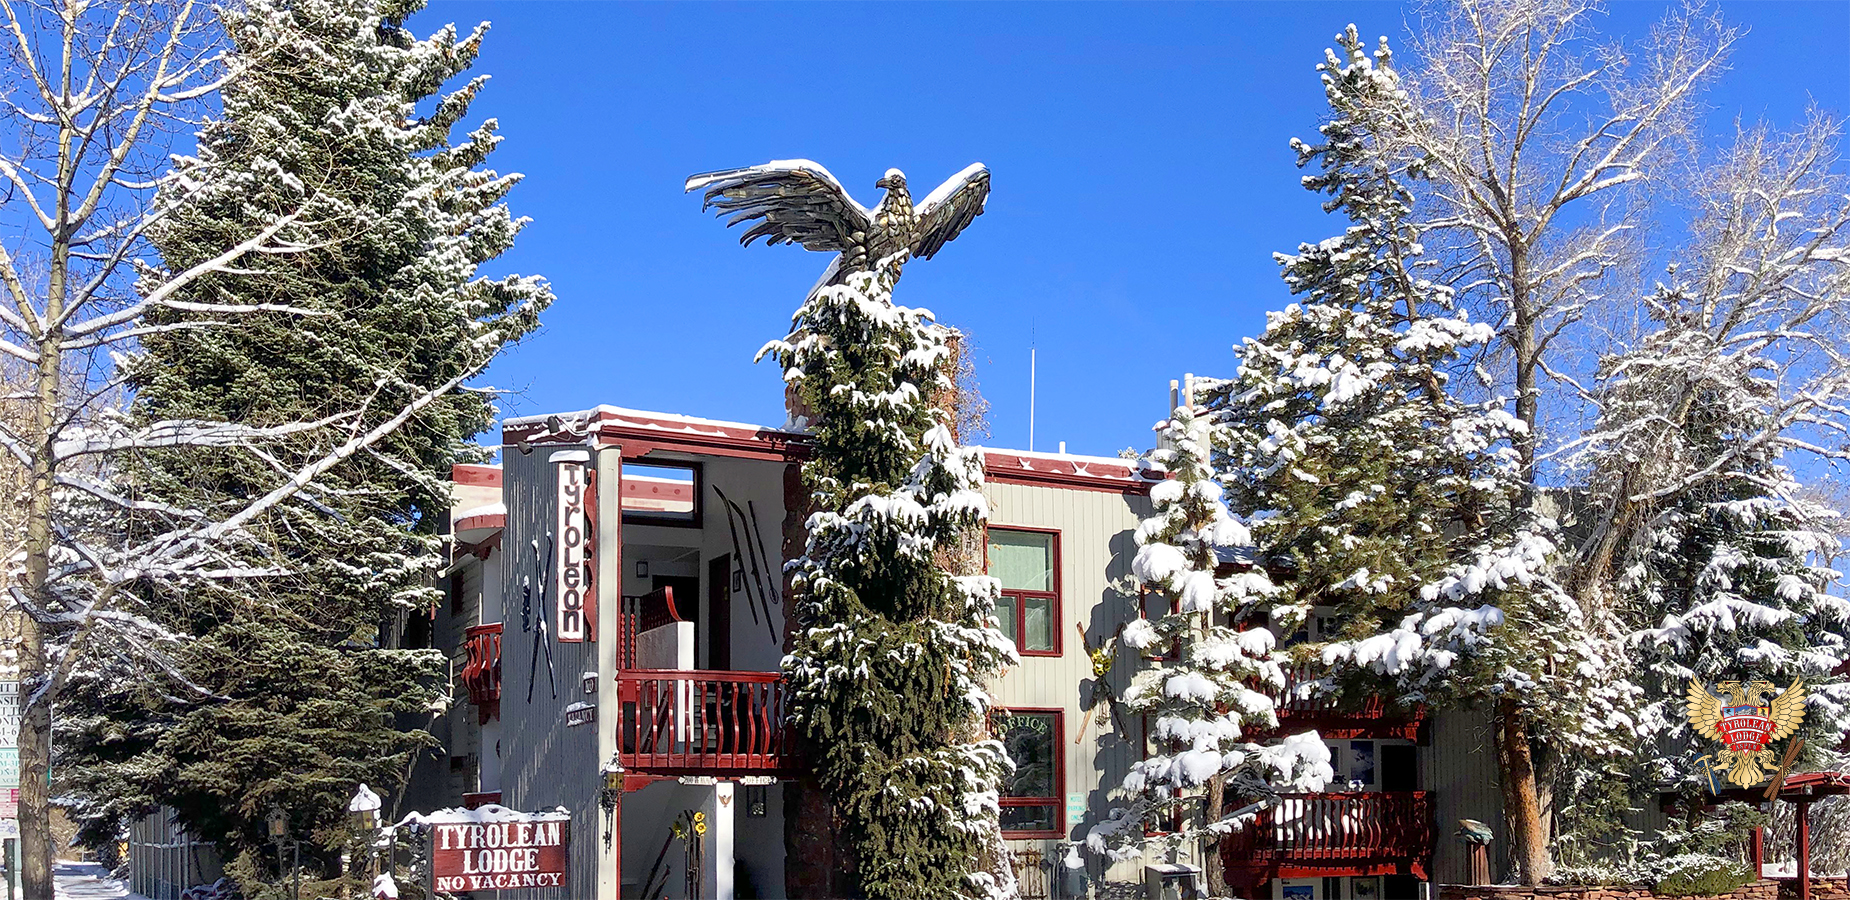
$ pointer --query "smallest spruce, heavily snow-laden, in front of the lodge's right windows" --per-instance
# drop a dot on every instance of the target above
(1205, 775)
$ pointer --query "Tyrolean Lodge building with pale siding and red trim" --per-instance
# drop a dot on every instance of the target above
(667, 699)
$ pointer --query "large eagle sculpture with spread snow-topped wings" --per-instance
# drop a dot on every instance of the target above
(800, 203)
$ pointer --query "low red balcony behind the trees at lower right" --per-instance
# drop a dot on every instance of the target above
(1335, 834)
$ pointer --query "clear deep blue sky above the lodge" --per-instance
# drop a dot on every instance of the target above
(1141, 181)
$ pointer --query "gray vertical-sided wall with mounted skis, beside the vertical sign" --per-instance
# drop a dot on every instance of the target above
(547, 764)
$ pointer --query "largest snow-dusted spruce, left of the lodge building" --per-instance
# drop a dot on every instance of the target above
(293, 694)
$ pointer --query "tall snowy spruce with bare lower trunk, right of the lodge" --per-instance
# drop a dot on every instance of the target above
(1377, 492)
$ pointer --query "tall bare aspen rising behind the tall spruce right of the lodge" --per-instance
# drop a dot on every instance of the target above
(1535, 136)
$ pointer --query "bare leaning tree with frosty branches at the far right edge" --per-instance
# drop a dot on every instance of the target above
(1758, 312)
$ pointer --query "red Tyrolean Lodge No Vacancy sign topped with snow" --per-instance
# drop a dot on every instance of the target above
(500, 855)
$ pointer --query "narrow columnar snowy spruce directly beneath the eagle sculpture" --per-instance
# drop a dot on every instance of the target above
(893, 651)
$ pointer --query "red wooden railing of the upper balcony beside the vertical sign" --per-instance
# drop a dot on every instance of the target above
(700, 723)
